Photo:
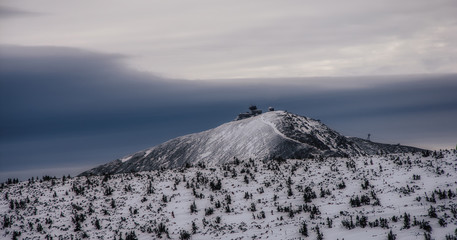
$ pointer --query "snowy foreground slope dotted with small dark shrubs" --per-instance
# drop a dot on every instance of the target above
(401, 196)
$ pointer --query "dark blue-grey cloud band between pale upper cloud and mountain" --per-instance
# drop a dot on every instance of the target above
(69, 107)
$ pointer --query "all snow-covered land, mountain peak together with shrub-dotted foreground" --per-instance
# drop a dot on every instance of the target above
(313, 183)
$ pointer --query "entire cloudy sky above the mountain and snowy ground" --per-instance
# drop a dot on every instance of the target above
(85, 82)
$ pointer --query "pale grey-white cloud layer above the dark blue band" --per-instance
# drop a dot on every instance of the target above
(204, 39)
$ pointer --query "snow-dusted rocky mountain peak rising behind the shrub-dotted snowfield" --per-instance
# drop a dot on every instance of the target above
(274, 134)
